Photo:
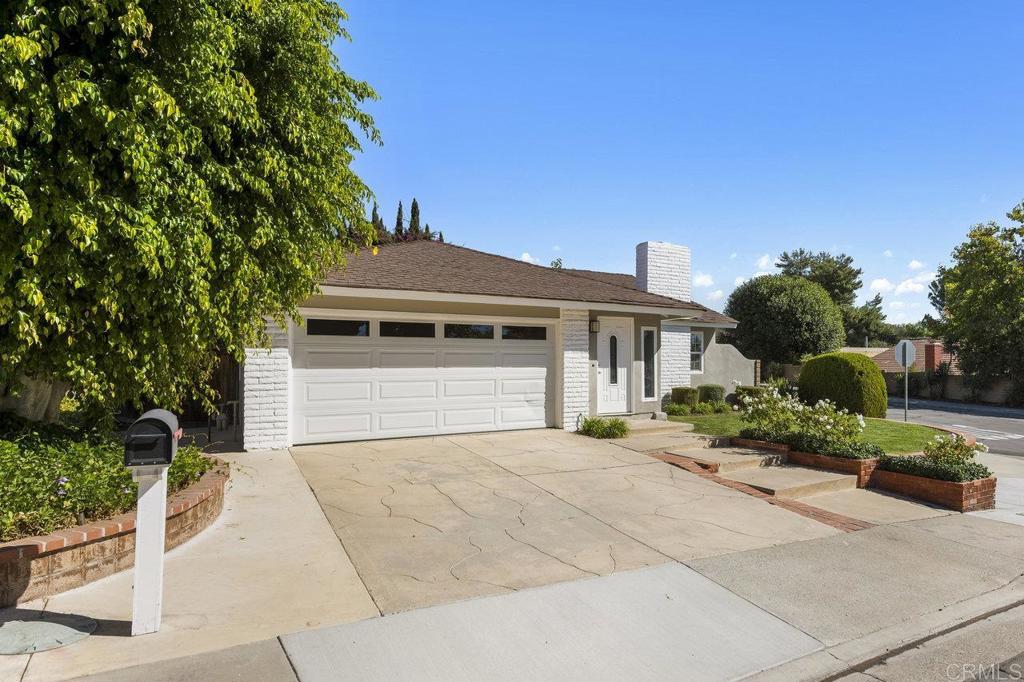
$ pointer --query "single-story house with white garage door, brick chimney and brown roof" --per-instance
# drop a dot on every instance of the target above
(426, 338)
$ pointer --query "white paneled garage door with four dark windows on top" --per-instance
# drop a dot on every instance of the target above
(357, 379)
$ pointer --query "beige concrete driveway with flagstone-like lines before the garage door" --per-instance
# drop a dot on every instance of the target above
(439, 520)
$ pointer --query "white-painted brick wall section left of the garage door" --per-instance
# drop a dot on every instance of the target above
(266, 394)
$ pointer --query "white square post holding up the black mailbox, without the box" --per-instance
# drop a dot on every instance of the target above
(151, 519)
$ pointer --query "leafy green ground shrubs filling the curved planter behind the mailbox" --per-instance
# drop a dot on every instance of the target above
(55, 476)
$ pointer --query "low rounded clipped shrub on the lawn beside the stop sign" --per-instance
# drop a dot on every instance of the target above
(850, 380)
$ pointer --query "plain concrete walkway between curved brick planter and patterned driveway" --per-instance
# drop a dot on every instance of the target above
(248, 578)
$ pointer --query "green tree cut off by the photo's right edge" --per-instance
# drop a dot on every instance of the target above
(983, 297)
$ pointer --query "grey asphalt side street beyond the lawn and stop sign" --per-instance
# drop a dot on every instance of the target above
(1000, 429)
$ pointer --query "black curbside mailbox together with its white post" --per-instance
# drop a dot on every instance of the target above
(151, 444)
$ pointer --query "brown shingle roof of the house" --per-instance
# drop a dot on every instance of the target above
(433, 267)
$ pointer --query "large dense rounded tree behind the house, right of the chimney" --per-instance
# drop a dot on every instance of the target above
(782, 319)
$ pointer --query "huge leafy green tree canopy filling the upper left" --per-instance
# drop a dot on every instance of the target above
(172, 173)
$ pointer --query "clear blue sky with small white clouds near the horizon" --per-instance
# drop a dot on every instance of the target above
(576, 131)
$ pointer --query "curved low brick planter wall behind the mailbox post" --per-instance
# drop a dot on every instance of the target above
(46, 566)
